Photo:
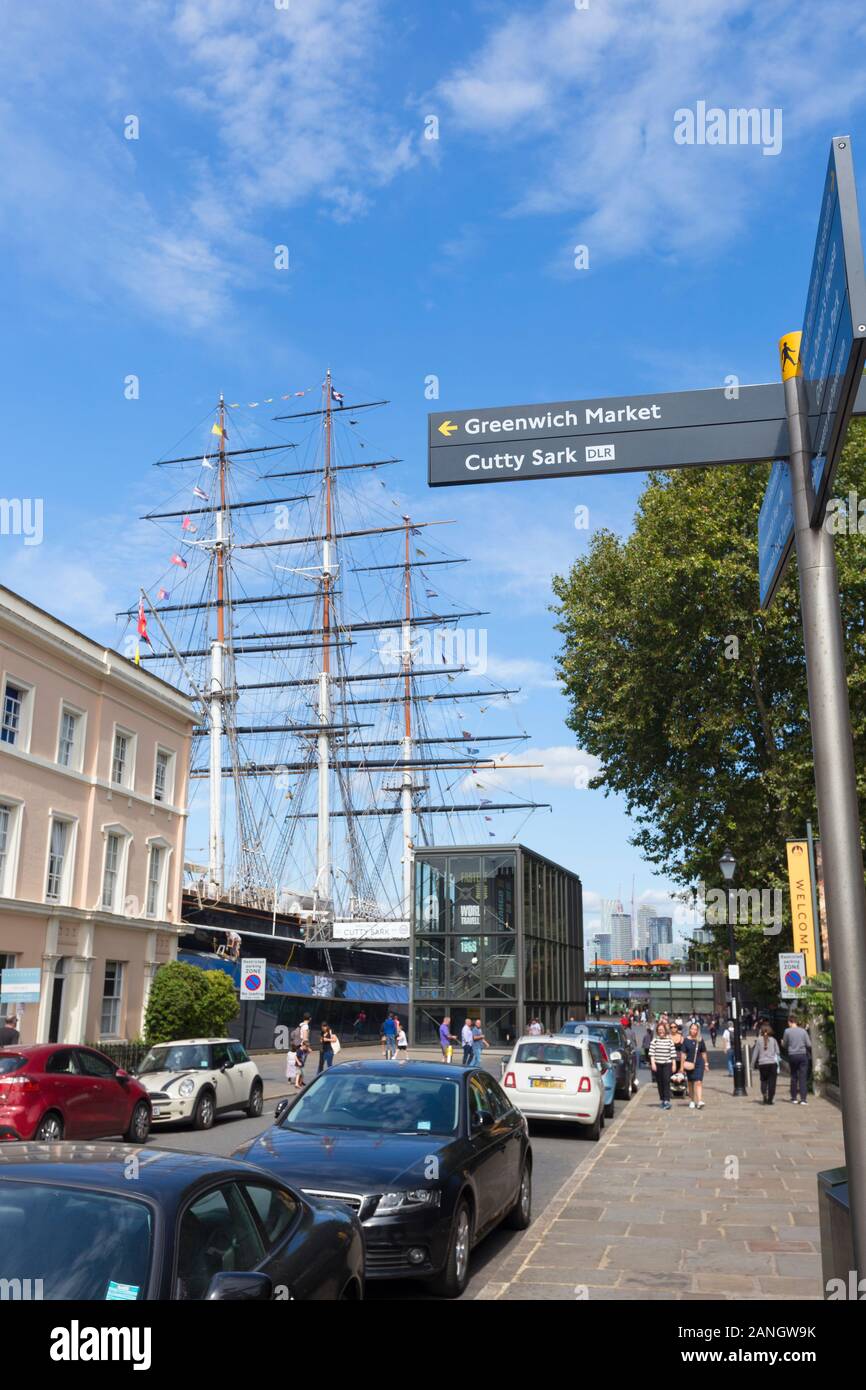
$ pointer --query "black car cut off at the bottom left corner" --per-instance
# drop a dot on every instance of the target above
(191, 1227)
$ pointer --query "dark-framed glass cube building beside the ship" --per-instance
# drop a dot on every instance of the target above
(497, 935)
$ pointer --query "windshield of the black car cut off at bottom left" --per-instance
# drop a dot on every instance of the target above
(73, 1243)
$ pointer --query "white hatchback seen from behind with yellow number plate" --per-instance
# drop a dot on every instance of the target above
(555, 1078)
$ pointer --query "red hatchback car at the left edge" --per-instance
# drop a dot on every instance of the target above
(54, 1092)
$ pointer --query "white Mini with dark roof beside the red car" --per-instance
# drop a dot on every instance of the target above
(198, 1079)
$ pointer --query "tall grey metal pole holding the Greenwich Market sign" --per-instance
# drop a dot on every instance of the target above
(838, 801)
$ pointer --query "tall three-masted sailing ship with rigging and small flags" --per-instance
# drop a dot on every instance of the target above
(345, 712)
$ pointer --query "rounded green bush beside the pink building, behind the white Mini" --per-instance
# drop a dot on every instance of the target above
(187, 1001)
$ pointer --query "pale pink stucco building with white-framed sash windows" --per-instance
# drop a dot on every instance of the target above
(94, 783)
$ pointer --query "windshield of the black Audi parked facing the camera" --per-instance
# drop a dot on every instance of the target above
(379, 1104)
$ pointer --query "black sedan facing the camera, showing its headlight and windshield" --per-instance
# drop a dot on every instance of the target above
(432, 1159)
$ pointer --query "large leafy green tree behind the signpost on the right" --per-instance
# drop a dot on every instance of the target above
(693, 698)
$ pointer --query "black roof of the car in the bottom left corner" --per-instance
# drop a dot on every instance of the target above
(161, 1171)
